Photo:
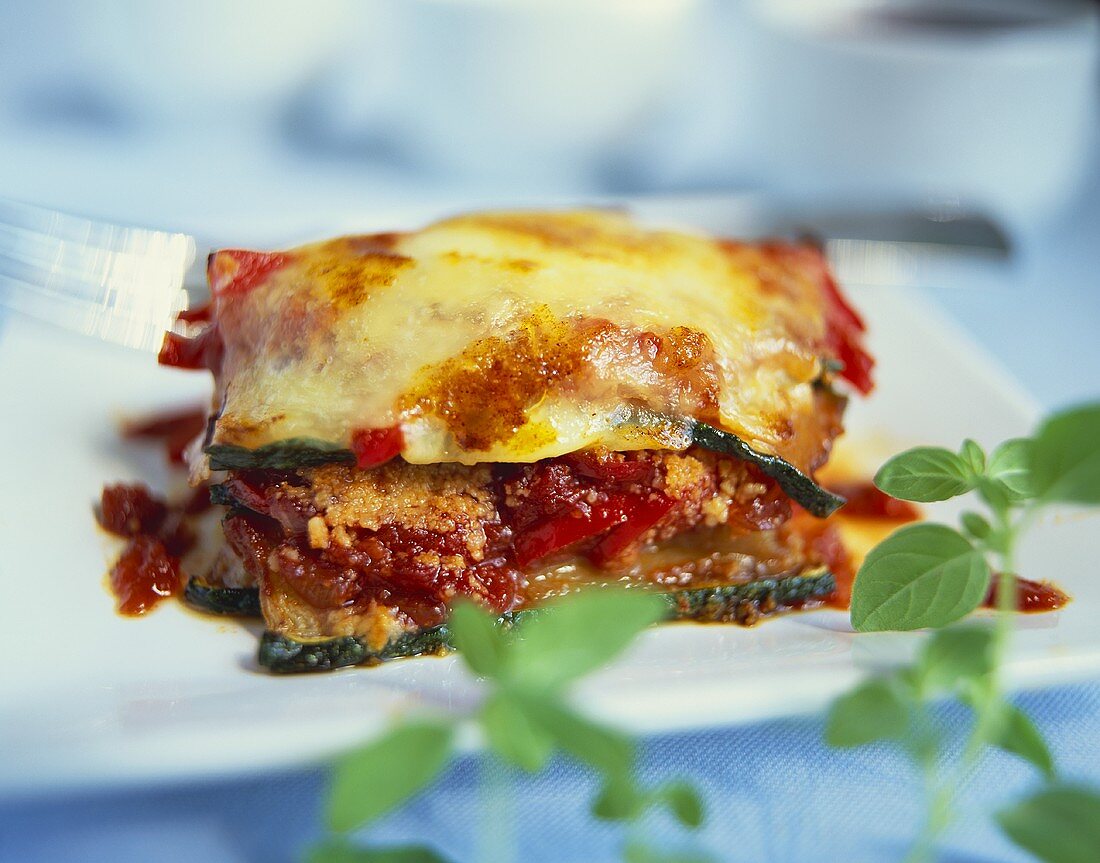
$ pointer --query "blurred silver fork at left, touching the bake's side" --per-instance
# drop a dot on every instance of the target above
(118, 284)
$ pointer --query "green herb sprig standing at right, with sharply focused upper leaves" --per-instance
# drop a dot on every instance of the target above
(933, 576)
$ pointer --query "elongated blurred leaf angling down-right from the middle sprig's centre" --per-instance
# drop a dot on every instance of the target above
(609, 751)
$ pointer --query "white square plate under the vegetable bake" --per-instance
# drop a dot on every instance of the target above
(91, 699)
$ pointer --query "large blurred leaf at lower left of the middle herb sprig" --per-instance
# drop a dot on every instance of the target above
(371, 781)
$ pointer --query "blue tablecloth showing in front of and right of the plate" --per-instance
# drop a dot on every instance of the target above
(774, 792)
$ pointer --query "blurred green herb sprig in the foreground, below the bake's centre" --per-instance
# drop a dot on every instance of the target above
(525, 718)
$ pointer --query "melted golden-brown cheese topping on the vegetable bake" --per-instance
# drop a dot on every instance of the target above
(519, 337)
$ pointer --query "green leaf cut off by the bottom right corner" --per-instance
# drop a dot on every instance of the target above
(1059, 825)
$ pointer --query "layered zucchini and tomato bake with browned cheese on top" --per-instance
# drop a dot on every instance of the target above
(508, 407)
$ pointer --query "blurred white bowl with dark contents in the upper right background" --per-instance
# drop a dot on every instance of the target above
(994, 103)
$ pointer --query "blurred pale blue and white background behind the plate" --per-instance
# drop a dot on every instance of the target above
(199, 116)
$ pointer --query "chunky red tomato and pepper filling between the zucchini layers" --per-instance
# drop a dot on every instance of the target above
(598, 506)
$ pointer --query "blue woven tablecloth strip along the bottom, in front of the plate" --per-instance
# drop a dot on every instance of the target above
(774, 792)
